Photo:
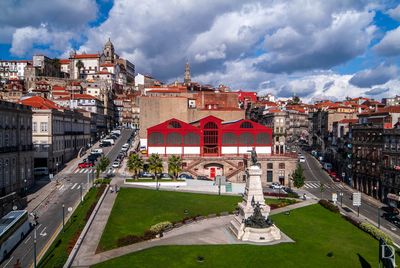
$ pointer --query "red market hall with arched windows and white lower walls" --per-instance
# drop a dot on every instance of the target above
(208, 137)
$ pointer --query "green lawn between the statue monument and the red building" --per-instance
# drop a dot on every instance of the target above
(136, 210)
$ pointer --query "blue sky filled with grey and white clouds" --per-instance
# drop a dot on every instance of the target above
(315, 49)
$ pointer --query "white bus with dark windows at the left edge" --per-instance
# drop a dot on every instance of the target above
(13, 228)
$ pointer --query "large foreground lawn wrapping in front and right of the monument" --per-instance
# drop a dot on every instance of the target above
(316, 231)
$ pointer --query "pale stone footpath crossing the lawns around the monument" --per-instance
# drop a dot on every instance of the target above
(207, 231)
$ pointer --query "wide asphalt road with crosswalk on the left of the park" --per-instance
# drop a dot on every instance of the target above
(50, 212)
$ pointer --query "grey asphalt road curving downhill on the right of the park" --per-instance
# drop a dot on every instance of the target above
(315, 175)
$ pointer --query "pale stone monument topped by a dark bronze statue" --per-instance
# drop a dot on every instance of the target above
(252, 223)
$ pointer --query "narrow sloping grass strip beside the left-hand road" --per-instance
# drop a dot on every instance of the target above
(58, 252)
